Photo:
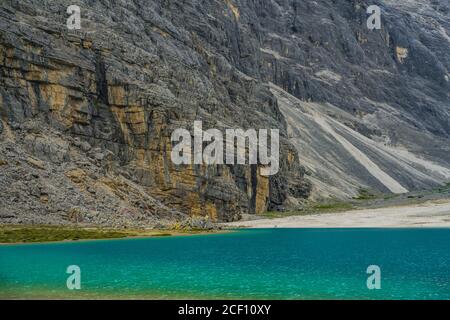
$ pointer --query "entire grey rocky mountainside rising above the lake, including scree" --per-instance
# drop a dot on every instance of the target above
(87, 116)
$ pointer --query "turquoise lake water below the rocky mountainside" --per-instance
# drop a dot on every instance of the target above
(249, 264)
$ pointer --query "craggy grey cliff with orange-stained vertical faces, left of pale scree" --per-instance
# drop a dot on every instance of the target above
(128, 98)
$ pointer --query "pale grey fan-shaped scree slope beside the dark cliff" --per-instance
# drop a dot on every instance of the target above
(341, 159)
